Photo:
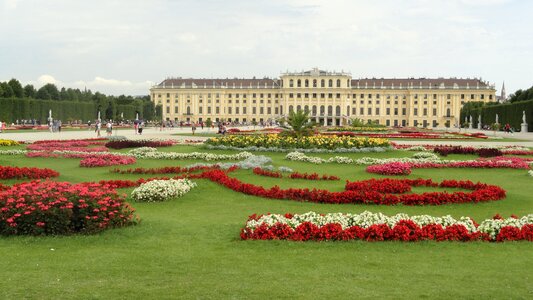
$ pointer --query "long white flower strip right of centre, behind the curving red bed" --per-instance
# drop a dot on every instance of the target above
(422, 157)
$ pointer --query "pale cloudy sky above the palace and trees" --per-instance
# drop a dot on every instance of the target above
(124, 47)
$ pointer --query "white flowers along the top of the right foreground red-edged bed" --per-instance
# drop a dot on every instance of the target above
(366, 219)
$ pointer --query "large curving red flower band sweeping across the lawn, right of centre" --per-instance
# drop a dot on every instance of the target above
(374, 191)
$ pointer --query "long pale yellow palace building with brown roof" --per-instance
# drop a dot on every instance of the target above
(332, 98)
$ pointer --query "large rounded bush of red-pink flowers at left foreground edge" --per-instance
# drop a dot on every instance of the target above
(47, 207)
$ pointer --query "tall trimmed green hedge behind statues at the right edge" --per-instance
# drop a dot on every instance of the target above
(507, 113)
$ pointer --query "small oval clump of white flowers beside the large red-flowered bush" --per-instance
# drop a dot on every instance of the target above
(161, 190)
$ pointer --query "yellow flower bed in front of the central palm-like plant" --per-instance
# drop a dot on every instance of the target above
(287, 142)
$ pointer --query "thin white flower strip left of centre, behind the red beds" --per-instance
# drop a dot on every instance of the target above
(153, 153)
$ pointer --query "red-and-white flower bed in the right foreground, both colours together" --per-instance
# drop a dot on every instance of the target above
(369, 226)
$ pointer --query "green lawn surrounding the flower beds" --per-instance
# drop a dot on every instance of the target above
(190, 247)
